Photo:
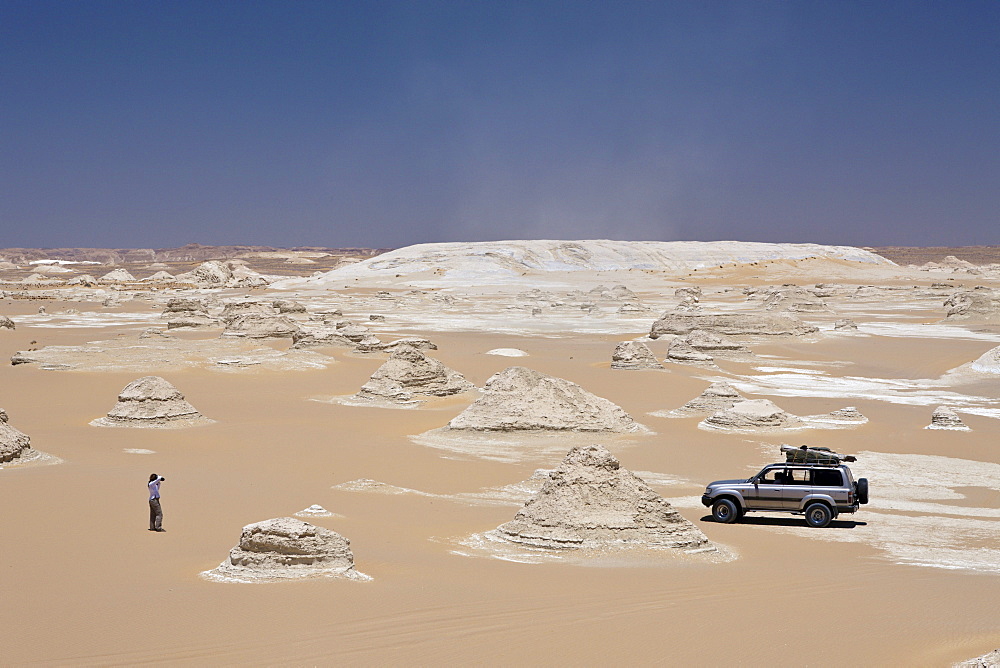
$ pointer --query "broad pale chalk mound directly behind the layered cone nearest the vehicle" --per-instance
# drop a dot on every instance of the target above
(522, 399)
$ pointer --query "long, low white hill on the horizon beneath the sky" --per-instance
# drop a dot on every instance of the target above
(506, 261)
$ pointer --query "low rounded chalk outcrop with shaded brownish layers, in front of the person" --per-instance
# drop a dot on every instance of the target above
(286, 548)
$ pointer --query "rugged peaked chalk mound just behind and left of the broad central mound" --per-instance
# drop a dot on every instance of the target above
(408, 374)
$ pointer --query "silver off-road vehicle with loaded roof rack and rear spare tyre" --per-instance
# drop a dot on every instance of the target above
(814, 482)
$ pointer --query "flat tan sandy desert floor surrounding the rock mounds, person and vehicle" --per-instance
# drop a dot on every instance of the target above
(84, 582)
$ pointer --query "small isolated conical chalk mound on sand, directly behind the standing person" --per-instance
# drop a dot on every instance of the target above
(151, 401)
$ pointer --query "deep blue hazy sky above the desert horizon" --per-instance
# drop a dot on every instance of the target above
(349, 123)
